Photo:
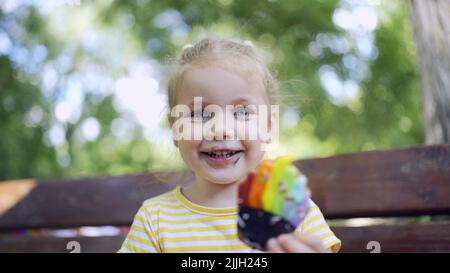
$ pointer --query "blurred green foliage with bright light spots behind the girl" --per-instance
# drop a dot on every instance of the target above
(82, 83)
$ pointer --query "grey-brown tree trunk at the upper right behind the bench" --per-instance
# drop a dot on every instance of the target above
(431, 23)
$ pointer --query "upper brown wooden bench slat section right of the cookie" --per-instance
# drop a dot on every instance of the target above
(400, 182)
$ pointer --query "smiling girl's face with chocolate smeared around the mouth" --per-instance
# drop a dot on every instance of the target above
(218, 158)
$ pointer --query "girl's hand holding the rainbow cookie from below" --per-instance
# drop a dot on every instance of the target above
(295, 243)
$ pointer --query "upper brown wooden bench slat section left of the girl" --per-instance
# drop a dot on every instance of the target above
(88, 202)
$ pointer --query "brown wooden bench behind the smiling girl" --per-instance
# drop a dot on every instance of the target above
(394, 183)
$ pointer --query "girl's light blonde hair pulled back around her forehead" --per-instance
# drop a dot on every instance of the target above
(227, 52)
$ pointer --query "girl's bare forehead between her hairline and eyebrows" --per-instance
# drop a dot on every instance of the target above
(220, 85)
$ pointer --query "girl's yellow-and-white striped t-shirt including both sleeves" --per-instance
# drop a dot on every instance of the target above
(172, 223)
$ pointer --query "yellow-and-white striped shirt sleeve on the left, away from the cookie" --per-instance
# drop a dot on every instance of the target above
(141, 238)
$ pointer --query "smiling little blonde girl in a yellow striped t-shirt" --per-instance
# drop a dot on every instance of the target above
(203, 216)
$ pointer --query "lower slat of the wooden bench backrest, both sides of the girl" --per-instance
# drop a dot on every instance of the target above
(428, 237)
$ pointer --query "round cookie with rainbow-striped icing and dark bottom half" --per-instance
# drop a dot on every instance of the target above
(273, 200)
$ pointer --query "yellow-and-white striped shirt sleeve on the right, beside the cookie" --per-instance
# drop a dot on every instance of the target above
(315, 224)
